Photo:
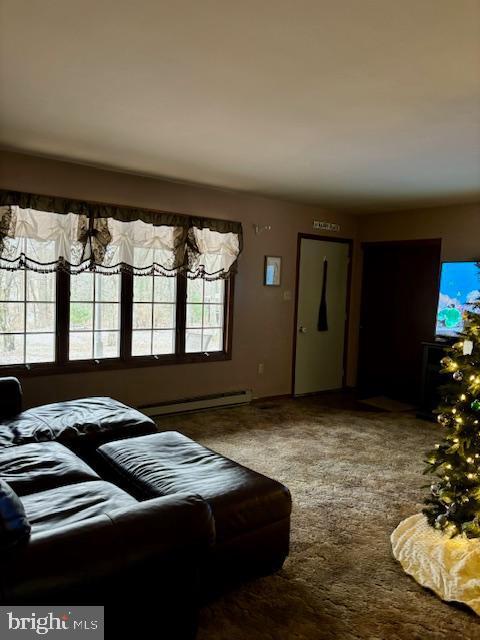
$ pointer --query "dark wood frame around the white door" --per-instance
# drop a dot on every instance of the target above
(322, 238)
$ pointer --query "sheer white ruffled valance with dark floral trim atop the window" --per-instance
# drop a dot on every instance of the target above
(48, 233)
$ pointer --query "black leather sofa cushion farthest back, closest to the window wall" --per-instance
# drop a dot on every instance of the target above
(96, 420)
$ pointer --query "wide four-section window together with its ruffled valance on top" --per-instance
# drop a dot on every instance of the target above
(85, 285)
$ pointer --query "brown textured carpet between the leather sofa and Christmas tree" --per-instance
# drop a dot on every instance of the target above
(354, 473)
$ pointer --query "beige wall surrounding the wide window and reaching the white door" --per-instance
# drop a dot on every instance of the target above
(263, 321)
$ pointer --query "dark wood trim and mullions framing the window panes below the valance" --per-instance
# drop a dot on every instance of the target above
(63, 365)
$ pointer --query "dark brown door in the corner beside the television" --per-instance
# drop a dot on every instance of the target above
(399, 300)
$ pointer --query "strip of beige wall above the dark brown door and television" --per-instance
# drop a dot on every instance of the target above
(457, 226)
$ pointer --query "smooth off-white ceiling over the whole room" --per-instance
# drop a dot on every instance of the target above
(359, 105)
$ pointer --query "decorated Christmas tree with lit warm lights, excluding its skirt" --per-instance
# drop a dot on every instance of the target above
(454, 503)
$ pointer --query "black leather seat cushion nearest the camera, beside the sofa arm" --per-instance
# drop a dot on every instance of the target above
(58, 507)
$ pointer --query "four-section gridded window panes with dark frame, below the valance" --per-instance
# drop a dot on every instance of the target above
(124, 319)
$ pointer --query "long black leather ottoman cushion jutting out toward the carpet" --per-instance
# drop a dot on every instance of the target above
(166, 463)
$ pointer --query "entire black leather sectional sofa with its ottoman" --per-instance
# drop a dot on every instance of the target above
(119, 514)
